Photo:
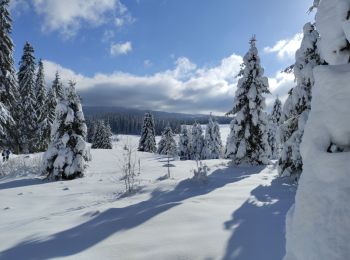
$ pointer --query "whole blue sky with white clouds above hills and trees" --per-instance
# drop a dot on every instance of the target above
(109, 42)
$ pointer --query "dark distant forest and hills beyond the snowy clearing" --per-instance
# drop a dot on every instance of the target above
(129, 121)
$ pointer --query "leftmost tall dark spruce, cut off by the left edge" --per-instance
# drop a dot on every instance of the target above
(8, 83)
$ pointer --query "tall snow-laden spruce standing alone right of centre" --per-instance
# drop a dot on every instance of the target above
(247, 142)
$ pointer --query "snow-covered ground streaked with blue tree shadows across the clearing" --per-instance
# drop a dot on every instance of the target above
(238, 214)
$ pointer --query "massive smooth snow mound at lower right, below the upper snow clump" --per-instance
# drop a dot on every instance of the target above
(319, 225)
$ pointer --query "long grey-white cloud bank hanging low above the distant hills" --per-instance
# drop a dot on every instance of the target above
(185, 88)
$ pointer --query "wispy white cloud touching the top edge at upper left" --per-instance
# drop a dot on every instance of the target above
(68, 16)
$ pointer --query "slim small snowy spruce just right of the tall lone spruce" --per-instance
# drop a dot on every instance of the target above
(274, 123)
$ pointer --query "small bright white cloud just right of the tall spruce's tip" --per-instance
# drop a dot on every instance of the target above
(286, 48)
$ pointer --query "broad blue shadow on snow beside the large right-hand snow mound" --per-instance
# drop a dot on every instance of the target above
(258, 226)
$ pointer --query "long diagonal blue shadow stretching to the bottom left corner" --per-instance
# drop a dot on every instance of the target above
(114, 220)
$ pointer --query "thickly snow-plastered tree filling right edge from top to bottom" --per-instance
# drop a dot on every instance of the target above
(317, 226)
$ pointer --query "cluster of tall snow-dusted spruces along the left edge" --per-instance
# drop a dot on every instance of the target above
(34, 119)
